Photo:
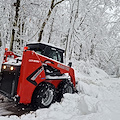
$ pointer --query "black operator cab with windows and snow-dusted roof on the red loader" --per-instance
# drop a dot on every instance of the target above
(47, 50)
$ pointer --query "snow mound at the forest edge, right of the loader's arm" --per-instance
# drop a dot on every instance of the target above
(86, 70)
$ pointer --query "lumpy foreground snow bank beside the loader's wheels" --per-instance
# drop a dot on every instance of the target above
(72, 106)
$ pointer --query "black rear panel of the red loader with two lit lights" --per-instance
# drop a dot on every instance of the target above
(9, 80)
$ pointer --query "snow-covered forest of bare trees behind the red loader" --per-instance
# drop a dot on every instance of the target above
(88, 30)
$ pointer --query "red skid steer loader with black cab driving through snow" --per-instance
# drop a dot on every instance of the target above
(39, 77)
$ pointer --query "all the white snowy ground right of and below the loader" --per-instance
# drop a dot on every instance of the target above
(98, 99)
